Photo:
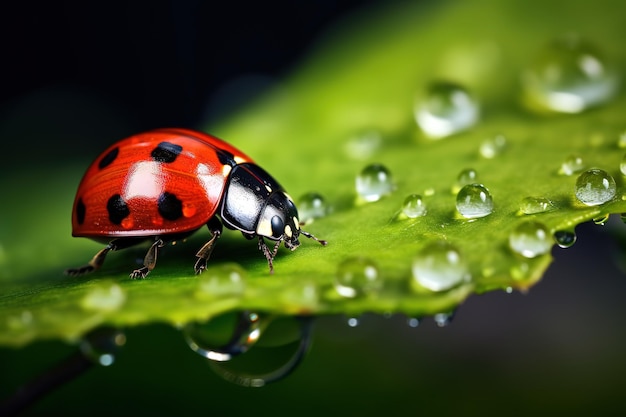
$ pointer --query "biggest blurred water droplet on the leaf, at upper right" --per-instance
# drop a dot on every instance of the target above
(569, 76)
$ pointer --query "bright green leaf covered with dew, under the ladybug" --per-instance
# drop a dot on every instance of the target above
(363, 78)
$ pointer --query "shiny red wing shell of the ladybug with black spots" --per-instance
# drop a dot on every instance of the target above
(165, 181)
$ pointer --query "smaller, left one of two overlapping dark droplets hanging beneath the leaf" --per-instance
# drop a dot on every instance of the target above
(224, 336)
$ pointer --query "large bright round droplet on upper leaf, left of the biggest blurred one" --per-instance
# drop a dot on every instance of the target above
(446, 109)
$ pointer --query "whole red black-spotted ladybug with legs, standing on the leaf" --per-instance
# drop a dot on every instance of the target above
(165, 184)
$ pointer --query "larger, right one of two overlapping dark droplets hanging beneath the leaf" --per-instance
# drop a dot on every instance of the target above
(278, 353)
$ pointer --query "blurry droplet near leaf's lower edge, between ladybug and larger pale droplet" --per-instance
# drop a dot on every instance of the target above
(357, 277)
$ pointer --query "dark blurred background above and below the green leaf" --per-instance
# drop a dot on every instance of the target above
(81, 76)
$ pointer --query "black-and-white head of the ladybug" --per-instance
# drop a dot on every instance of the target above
(279, 220)
